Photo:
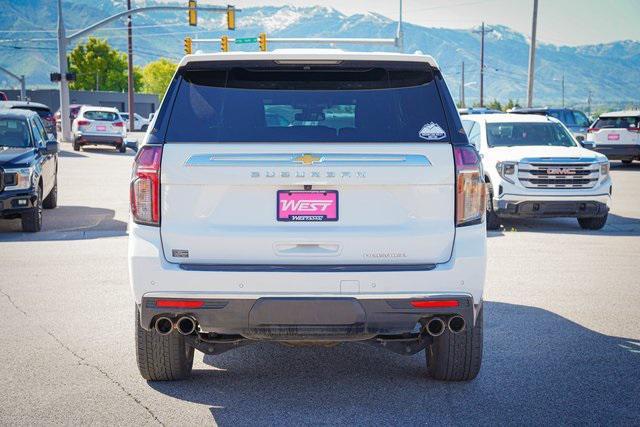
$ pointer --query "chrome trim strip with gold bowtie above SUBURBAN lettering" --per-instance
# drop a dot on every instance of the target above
(283, 160)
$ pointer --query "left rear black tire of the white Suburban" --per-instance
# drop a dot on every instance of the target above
(162, 357)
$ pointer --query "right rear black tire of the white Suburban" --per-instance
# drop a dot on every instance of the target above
(456, 357)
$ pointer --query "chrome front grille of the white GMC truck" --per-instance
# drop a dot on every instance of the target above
(556, 174)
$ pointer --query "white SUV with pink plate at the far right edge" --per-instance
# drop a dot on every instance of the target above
(617, 135)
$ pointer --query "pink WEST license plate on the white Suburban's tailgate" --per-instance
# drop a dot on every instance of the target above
(306, 206)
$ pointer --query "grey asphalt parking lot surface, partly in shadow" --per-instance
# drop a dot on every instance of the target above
(562, 331)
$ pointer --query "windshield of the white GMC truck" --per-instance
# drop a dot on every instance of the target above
(521, 134)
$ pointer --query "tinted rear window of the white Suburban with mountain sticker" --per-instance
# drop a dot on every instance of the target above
(308, 104)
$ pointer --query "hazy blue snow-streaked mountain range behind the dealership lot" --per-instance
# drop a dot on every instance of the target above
(609, 73)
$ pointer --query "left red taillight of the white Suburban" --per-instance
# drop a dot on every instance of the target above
(145, 186)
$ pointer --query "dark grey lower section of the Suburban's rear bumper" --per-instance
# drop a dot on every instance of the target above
(308, 318)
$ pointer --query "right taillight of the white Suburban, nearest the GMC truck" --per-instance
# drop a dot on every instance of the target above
(470, 187)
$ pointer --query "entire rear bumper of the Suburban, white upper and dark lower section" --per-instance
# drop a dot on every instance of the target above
(368, 302)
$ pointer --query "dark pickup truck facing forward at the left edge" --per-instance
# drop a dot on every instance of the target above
(28, 168)
